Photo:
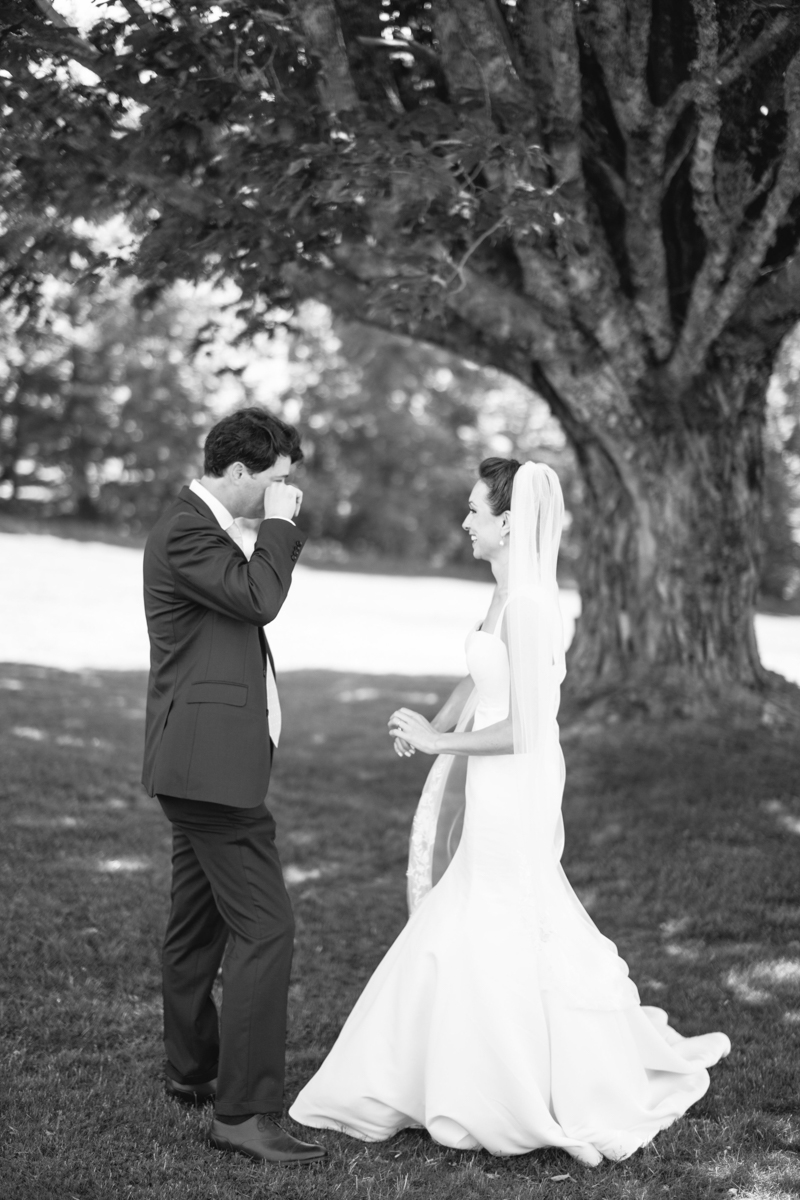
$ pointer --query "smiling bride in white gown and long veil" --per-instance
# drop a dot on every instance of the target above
(502, 1018)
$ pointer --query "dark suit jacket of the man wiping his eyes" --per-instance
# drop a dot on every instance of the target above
(207, 735)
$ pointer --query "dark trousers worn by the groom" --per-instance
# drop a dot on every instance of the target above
(227, 893)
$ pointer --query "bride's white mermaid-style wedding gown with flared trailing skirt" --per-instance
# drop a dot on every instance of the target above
(502, 1018)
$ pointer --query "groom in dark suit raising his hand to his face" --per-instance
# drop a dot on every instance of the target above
(212, 729)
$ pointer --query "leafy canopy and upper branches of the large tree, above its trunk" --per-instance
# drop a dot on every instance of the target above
(399, 157)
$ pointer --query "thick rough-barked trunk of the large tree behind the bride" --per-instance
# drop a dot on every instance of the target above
(670, 563)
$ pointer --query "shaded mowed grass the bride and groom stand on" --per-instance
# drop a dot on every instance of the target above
(684, 842)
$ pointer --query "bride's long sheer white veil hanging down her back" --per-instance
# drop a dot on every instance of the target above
(575, 959)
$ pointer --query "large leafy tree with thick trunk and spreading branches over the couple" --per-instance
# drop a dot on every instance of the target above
(601, 197)
